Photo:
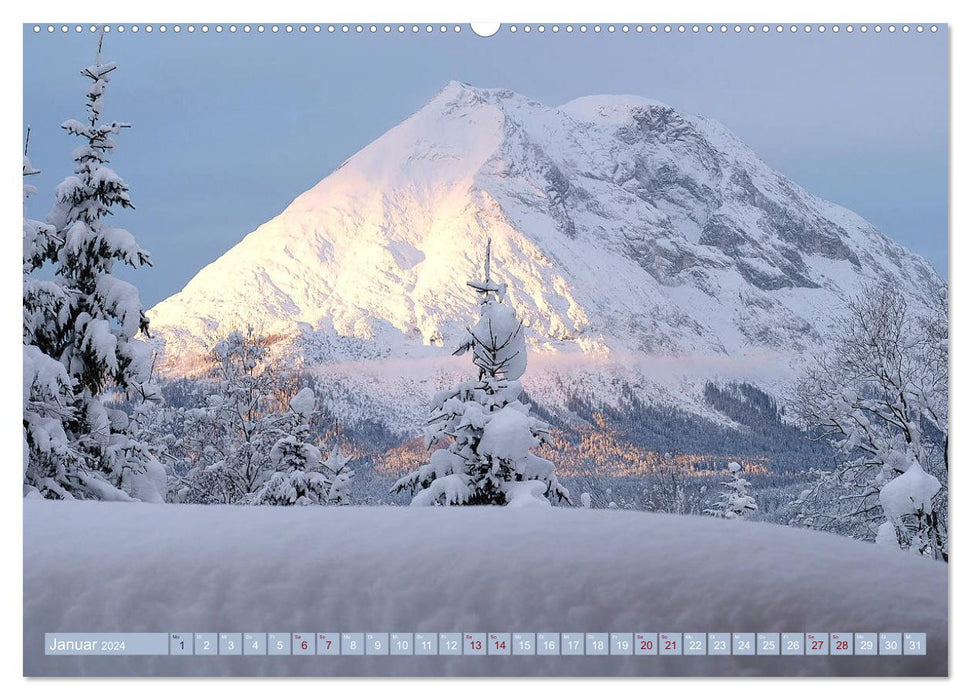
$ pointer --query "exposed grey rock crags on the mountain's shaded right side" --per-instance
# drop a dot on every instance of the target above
(700, 184)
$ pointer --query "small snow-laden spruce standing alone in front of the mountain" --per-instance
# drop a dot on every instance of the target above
(489, 431)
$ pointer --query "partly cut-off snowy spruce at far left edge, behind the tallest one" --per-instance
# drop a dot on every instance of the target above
(48, 391)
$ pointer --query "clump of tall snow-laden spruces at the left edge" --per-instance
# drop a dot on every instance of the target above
(80, 328)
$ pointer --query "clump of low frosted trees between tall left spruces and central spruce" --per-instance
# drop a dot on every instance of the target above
(252, 441)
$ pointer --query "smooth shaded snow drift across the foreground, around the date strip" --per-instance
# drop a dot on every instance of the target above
(91, 567)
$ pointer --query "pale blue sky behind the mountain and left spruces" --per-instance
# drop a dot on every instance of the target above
(228, 129)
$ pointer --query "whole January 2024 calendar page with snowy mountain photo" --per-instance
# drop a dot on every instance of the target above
(544, 349)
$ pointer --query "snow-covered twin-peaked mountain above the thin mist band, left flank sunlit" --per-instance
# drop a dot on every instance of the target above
(626, 231)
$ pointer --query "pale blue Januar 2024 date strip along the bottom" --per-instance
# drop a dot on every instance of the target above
(488, 644)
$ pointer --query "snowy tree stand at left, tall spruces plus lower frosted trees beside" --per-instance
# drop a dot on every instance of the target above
(93, 426)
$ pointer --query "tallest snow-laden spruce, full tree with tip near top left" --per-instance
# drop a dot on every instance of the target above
(92, 328)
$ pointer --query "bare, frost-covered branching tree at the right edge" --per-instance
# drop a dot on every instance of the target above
(880, 397)
